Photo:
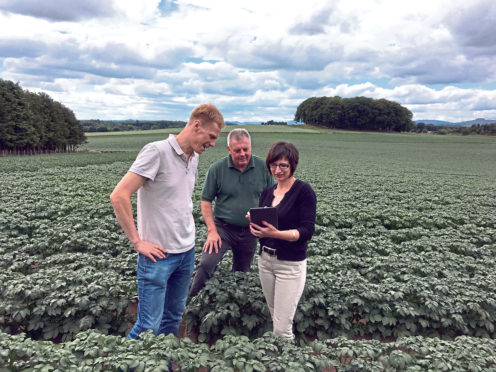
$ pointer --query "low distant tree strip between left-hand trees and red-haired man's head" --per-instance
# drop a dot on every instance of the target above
(97, 125)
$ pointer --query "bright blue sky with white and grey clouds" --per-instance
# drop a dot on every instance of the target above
(255, 60)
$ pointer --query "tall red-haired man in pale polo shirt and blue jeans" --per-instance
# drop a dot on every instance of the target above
(164, 175)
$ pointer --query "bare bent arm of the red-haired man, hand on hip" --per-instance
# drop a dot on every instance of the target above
(121, 201)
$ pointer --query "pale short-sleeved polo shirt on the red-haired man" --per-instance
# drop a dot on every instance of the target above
(165, 207)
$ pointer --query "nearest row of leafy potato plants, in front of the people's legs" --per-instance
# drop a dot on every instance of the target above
(92, 351)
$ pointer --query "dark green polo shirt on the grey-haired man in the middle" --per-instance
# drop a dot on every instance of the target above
(235, 192)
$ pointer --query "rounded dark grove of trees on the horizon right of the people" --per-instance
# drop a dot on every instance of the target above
(357, 113)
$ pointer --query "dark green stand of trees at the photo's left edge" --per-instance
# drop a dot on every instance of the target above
(33, 123)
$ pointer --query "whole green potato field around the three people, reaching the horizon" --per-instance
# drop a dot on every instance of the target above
(401, 269)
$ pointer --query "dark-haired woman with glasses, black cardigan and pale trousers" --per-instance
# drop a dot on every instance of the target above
(282, 261)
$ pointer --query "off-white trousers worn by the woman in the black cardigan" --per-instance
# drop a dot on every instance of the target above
(282, 285)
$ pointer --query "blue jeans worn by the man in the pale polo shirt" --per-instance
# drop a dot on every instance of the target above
(162, 292)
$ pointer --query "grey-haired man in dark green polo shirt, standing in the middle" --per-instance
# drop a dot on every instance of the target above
(235, 183)
